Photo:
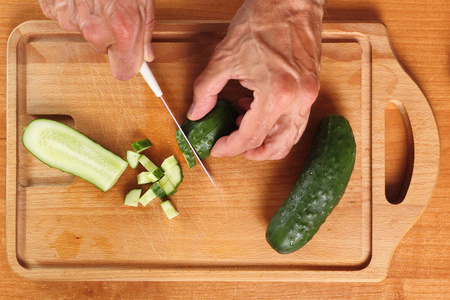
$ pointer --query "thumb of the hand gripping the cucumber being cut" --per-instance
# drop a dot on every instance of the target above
(206, 88)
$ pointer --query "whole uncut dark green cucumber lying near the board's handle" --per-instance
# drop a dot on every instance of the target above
(320, 185)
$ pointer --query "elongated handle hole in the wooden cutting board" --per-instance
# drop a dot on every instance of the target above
(399, 152)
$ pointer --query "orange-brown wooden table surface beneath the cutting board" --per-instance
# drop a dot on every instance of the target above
(420, 267)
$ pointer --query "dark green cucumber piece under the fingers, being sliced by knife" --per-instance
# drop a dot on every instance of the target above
(204, 133)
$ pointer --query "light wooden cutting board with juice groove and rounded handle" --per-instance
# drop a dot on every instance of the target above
(61, 228)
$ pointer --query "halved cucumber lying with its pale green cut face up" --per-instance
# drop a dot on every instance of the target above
(62, 147)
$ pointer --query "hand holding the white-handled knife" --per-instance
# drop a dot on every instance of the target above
(122, 29)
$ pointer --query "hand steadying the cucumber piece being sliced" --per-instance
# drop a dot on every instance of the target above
(273, 49)
